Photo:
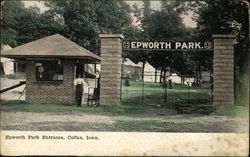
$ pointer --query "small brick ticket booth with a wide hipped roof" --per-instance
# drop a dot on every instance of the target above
(52, 63)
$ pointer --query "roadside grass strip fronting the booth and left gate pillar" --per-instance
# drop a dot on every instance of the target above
(112, 110)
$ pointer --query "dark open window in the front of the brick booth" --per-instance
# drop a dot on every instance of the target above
(49, 71)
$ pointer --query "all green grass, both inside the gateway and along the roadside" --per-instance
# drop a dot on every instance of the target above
(156, 101)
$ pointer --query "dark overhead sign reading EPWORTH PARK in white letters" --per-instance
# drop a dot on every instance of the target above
(166, 45)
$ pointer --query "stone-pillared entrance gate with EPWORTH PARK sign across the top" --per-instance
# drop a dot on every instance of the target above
(111, 71)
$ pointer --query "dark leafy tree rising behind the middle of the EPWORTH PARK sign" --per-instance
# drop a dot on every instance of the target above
(167, 24)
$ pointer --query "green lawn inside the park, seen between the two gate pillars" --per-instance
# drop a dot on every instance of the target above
(153, 94)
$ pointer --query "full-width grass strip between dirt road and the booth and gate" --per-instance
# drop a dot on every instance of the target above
(127, 109)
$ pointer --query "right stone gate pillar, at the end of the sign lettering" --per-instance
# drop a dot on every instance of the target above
(223, 69)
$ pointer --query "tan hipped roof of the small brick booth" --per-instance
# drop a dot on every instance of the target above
(54, 46)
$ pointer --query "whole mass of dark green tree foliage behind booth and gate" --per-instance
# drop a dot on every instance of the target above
(82, 20)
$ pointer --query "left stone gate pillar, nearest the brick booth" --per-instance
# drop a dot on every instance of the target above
(110, 79)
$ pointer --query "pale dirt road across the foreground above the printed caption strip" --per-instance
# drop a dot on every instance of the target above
(89, 122)
